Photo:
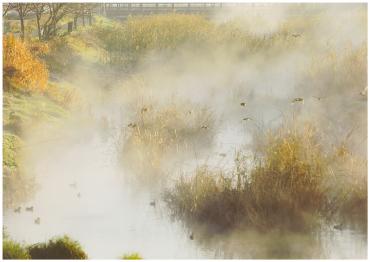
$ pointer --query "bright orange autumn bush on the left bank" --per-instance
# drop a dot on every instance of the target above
(21, 65)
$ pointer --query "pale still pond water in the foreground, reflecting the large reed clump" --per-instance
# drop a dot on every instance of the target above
(109, 217)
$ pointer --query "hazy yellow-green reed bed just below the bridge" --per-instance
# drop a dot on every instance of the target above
(128, 43)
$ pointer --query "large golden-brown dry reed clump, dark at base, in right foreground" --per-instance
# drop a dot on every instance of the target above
(291, 181)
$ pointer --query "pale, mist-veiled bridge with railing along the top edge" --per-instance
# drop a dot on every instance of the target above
(123, 10)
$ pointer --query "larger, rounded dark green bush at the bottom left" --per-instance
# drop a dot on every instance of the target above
(57, 248)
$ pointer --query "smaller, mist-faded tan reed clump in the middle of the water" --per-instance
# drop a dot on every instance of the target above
(162, 135)
